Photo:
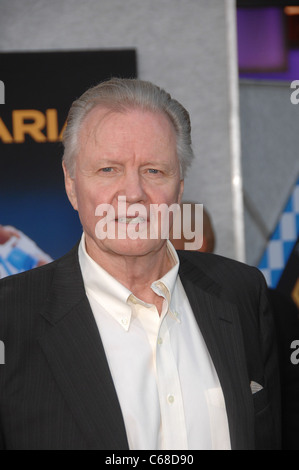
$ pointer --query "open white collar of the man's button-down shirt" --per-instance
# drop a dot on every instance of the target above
(114, 296)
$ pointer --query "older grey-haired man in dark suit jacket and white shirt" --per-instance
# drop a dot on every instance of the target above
(123, 343)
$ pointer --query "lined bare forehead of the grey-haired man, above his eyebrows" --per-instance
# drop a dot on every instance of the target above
(104, 126)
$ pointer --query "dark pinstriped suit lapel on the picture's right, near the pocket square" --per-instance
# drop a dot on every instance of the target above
(219, 324)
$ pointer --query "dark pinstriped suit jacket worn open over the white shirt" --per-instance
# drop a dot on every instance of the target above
(56, 390)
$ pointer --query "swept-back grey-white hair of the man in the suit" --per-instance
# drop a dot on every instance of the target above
(120, 95)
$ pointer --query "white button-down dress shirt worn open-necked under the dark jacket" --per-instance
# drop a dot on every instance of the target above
(166, 383)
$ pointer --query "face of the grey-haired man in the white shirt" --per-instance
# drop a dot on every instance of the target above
(130, 157)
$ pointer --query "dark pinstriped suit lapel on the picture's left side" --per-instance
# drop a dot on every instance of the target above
(76, 356)
